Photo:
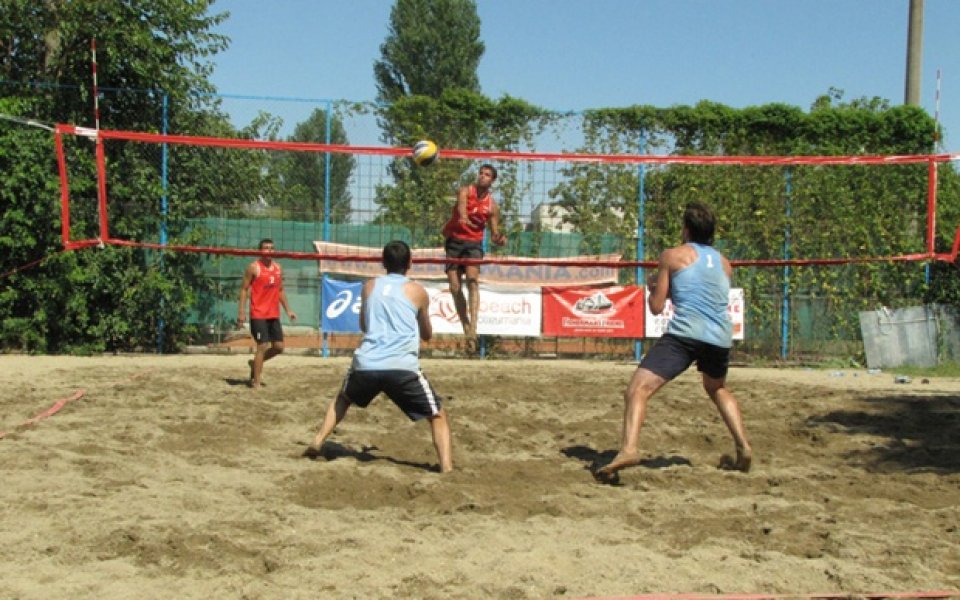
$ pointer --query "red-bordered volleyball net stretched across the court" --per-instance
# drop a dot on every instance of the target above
(196, 192)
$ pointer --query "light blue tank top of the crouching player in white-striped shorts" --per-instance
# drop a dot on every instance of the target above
(392, 339)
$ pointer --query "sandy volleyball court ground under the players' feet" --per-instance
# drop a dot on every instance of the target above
(169, 478)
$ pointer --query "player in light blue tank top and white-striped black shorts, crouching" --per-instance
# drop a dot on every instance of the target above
(394, 313)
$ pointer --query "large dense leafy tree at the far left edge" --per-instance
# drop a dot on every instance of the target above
(114, 298)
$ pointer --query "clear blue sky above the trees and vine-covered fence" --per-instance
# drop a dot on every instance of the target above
(581, 54)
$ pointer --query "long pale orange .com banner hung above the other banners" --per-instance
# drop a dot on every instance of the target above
(528, 272)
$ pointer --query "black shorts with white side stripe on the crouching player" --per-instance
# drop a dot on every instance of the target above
(409, 390)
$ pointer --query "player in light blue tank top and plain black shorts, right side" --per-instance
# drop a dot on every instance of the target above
(697, 280)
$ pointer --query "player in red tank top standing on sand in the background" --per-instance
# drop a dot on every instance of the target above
(263, 284)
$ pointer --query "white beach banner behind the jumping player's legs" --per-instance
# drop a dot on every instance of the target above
(514, 312)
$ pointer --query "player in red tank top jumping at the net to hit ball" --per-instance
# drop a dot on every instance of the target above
(474, 211)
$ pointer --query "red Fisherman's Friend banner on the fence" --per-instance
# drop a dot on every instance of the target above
(594, 312)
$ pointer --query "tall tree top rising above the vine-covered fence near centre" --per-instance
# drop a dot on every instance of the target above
(432, 45)
